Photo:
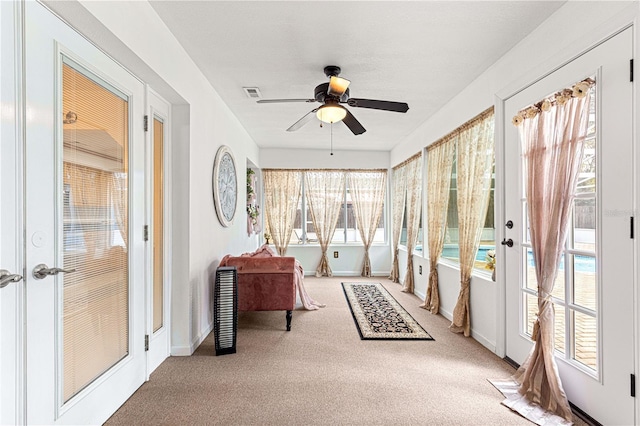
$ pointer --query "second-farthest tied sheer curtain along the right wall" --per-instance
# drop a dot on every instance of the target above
(414, 211)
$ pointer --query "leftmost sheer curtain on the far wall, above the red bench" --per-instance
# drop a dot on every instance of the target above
(281, 198)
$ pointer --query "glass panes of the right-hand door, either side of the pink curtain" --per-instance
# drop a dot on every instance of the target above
(576, 286)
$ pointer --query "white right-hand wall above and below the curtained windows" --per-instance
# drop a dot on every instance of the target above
(574, 28)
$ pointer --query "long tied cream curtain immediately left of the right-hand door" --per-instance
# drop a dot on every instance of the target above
(474, 173)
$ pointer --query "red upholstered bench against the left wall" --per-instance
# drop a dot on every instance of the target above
(265, 283)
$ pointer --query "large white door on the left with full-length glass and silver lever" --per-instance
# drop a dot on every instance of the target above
(83, 220)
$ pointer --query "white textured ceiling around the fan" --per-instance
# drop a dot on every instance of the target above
(419, 52)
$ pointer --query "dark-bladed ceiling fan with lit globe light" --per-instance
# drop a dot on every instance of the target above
(331, 95)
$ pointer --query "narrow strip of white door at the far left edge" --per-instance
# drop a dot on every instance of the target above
(12, 386)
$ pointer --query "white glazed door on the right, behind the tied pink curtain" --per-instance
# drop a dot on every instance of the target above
(594, 291)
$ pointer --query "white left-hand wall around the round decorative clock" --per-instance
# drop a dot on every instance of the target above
(200, 126)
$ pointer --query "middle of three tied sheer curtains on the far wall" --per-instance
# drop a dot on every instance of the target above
(324, 191)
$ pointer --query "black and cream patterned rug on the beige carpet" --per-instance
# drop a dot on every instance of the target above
(379, 316)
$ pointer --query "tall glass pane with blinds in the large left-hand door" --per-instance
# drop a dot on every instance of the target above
(95, 230)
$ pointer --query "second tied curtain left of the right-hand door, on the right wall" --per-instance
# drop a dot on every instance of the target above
(439, 162)
